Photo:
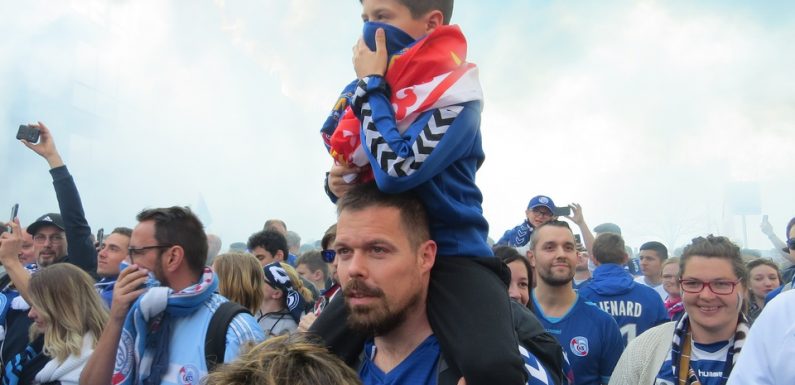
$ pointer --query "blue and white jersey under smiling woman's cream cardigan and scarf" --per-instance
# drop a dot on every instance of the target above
(707, 360)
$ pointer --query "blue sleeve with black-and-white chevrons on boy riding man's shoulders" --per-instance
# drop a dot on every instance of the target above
(434, 141)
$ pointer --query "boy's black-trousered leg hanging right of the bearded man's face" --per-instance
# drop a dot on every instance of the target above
(470, 314)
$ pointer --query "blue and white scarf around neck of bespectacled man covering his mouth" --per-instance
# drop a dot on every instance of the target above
(147, 327)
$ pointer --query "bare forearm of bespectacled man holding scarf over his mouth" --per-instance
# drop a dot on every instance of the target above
(99, 368)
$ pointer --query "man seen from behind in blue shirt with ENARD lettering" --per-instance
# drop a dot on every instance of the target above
(635, 307)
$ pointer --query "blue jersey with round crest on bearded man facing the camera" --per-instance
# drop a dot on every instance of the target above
(590, 339)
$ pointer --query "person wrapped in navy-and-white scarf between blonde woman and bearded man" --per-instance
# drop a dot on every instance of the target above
(286, 300)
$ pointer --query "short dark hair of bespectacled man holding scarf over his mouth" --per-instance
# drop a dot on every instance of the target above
(180, 227)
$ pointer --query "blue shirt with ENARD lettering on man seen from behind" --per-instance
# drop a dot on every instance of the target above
(635, 307)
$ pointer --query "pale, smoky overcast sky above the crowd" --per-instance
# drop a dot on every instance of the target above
(648, 113)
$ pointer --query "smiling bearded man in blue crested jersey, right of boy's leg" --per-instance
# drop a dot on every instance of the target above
(590, 337)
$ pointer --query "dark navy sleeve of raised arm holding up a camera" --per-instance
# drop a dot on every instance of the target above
(80, 248)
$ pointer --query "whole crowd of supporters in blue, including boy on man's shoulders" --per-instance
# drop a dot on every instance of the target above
(405, 288)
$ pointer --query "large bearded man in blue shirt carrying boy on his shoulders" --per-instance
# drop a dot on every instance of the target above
(384, 258)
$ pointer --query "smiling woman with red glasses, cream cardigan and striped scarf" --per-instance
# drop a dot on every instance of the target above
(703, 346)
